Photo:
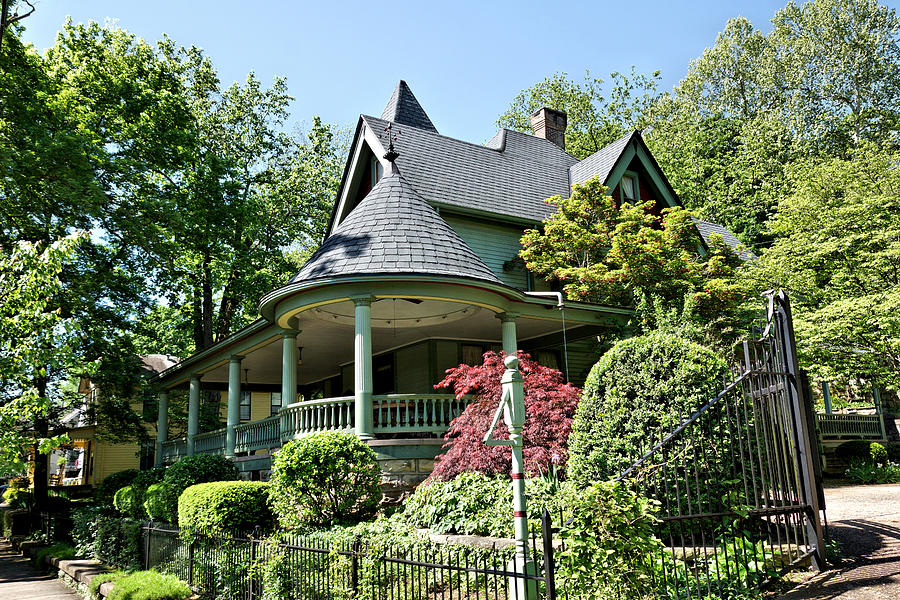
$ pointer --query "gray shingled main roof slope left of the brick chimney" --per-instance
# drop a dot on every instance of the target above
(510, 177)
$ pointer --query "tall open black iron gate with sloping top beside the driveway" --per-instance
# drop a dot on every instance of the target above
(737, 482)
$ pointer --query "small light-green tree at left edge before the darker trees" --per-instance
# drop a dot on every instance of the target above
(36, 343)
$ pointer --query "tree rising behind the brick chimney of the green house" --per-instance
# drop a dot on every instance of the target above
(593, 120)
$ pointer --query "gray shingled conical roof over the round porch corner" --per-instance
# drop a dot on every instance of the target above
(394, 230)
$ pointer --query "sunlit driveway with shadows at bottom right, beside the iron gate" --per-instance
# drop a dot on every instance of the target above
(865, 520)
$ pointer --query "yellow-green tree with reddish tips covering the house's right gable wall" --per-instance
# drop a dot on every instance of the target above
(628, 255)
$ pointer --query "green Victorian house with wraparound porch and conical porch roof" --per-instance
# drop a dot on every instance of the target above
(419, 272)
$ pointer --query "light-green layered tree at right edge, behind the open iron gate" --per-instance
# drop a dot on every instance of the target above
(838, 253)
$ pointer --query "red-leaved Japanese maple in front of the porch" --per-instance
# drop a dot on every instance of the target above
(550, 407)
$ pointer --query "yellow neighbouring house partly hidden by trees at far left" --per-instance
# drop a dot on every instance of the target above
(88, 458)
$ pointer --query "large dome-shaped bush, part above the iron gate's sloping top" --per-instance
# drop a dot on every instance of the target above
(640, 386)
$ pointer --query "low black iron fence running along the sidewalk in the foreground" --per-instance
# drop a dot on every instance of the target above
(247, 566)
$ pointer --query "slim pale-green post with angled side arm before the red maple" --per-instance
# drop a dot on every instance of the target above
(512, 409)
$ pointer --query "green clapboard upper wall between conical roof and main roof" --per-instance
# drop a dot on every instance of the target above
(495, 245)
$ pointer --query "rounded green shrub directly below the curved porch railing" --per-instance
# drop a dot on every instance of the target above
(326, 478)
